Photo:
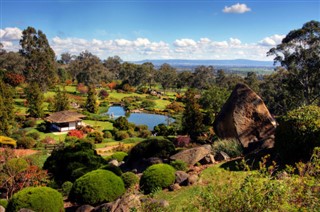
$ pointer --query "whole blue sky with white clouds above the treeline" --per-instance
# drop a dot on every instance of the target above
(158, 29)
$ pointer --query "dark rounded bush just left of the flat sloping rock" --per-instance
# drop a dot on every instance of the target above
(153, 147)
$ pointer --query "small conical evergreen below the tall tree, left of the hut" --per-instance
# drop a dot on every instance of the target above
(35, 100)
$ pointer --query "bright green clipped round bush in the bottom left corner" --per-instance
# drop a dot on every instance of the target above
(36, 199)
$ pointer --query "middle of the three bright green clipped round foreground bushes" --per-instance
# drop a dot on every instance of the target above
(97, 187)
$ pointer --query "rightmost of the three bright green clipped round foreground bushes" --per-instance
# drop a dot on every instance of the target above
(157, 176)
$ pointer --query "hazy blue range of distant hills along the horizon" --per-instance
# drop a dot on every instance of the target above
(188, 63)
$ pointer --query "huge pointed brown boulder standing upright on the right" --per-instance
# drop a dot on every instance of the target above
(245, 117)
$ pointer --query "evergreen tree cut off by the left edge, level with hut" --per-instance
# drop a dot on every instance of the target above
(6, 109)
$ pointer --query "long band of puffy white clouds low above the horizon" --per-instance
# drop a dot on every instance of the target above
(145, 48)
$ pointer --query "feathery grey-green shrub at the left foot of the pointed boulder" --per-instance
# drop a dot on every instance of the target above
(230, 146)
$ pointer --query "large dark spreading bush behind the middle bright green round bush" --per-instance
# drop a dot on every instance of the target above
(75, 156)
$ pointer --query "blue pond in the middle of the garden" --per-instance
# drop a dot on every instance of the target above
(151, 120)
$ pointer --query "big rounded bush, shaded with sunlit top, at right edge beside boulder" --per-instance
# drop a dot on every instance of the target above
(298, 133)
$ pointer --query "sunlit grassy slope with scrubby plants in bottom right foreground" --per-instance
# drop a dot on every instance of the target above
(223, 190)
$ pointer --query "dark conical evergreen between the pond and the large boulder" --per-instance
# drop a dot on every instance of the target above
(192, 122)
